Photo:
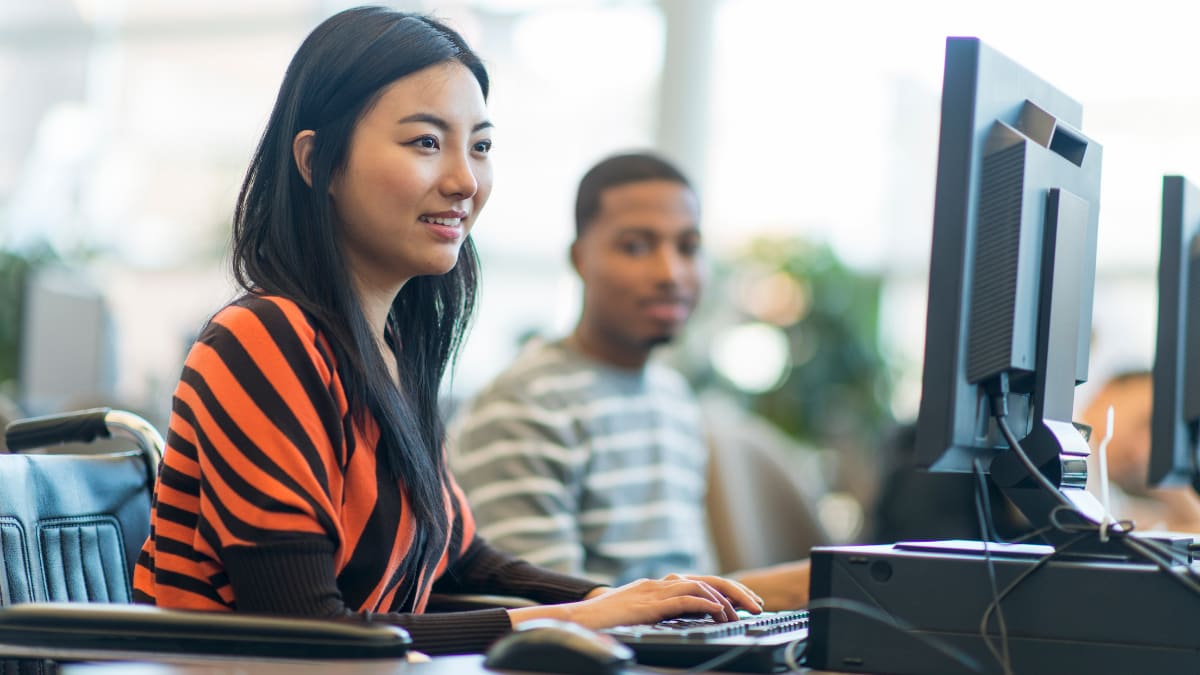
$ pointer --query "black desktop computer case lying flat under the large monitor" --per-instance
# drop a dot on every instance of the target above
(916, 608)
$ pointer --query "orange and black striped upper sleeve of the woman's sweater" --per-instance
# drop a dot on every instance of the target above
(256, 403)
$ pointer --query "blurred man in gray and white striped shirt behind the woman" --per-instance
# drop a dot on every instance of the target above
(585, 456)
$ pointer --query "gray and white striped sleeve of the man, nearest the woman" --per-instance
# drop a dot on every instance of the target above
(519, 464)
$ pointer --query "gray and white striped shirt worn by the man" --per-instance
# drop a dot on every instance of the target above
(585, 468)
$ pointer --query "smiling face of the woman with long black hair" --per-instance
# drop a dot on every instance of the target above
(417, 176)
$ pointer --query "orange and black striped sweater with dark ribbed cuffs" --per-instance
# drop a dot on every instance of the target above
(269, 498)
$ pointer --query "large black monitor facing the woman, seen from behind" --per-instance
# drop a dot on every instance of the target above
(1011, 280)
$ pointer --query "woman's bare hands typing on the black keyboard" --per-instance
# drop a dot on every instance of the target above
(649, 601)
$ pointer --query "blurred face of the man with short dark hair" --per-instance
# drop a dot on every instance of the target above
(640, 264)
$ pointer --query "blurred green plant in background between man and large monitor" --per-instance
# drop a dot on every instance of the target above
(836, 385)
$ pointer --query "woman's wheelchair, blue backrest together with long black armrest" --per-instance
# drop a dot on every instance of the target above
(71, 530)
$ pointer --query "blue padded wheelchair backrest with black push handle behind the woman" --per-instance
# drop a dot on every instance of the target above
(73, 525)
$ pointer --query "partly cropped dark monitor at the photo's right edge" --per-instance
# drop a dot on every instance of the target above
(1175, 423)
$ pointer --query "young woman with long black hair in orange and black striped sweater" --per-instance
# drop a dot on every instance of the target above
(305, 471)
